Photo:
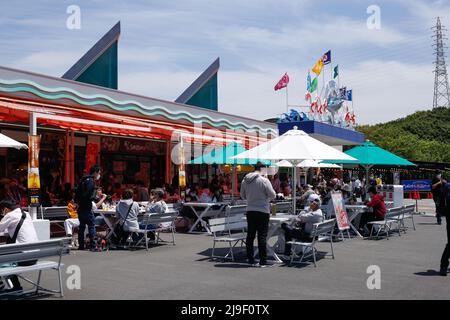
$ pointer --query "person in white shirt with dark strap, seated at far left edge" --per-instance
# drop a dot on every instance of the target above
(20, 228)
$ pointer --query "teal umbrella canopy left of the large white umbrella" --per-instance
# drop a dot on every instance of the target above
(222, 155)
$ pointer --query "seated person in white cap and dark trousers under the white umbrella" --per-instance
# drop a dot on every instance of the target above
(303, 223)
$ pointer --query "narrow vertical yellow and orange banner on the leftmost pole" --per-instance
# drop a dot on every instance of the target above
(34, 183)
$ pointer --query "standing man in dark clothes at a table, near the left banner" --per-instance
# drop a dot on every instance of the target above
(84, 196)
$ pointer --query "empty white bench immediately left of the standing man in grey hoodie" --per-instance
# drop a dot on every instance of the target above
(230, 230)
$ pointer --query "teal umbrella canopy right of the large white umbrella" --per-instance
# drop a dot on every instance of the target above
(369, 153)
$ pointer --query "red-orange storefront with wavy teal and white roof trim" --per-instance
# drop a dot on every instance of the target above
(132, 137)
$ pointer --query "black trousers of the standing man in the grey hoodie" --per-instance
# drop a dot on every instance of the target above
(258, 222)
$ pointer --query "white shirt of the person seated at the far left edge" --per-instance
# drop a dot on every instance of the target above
(27, 233)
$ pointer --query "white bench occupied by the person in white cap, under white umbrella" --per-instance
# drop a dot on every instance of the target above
(322, 231)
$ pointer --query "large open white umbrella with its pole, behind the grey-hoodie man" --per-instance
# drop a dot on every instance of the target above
(294, 146)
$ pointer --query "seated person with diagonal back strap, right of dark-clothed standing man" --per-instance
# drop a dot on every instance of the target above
(127, 212)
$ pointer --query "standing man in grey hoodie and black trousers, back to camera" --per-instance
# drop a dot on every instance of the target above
(258, 192)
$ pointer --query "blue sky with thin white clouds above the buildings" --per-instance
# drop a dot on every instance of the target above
(165, 45)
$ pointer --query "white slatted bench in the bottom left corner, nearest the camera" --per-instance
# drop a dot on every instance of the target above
(13, 253)
